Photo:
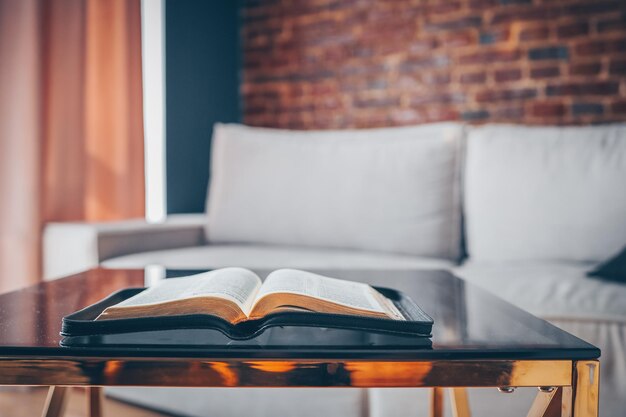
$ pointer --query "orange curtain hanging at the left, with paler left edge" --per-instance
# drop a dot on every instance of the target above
(71, 128)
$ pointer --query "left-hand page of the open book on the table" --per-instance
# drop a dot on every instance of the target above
(238, 285)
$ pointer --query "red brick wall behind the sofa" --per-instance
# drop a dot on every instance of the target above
(311, 64)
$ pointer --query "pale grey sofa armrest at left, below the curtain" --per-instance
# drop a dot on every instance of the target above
(72, 247)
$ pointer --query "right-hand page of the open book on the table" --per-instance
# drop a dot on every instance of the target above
(347, 293)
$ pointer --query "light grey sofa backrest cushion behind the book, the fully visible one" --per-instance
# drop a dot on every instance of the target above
(390, 189)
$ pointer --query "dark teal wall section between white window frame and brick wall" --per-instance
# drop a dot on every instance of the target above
(202, 87)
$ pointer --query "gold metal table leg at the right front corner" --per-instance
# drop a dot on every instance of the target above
(585, 388)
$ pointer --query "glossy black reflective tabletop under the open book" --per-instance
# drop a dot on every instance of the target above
(470, 323)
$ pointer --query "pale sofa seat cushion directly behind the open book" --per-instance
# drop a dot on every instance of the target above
(273, 257)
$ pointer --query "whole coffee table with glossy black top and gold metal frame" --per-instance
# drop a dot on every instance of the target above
(478, 341)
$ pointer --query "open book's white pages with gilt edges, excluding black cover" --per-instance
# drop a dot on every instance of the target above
(238, 295)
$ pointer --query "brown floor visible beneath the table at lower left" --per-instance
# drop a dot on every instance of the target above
(27, 401)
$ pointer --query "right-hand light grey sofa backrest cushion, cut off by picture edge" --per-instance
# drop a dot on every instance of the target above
(545, 193)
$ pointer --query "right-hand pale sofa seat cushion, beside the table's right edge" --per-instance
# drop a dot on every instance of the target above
(550, 290)
